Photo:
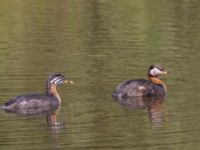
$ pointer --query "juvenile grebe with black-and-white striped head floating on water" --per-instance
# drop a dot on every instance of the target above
(28, 101)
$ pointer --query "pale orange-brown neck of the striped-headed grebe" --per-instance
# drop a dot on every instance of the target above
(51, 90)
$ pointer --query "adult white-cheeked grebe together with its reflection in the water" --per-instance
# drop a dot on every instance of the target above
(142, 93)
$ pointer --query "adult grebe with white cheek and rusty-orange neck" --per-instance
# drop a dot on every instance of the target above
(141, 87)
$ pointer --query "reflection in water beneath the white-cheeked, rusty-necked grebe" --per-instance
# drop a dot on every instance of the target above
(154, 105)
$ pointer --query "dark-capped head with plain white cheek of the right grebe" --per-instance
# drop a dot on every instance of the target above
(155, 70)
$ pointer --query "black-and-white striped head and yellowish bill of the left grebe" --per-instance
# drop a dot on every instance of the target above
(57, 79)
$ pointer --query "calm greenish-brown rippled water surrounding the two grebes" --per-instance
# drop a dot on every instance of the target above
(98, 44)
